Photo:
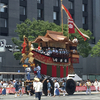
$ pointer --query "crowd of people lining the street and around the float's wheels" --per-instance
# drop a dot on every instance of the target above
(31, 88)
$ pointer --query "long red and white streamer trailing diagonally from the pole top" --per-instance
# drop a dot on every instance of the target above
(70, 17)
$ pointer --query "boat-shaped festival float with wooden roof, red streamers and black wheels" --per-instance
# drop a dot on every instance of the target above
(56, 55)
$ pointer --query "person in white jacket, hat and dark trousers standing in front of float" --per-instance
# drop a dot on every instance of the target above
(38, 88)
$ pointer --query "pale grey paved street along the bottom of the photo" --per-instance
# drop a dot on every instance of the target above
(76, 96)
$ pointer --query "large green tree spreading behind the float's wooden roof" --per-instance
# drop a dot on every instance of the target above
(33, 29)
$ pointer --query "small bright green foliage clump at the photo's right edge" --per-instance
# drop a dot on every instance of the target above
(96, 50)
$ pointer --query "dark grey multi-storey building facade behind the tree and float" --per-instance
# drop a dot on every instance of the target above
(86, 14)
